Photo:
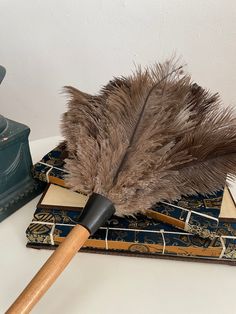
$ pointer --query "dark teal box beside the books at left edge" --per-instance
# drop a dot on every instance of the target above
(17, 186)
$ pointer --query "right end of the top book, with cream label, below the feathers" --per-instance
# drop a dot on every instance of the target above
(183, 215)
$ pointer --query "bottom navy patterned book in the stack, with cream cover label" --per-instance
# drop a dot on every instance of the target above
(140, 236)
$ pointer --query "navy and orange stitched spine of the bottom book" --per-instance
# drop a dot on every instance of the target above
(136, 240)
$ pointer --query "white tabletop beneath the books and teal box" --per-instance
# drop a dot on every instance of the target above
(102, 284)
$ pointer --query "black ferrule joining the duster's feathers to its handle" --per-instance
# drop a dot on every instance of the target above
(96, 212)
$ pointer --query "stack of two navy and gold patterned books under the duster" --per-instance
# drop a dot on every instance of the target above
(199, 228)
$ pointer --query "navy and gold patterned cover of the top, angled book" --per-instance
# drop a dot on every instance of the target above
(196, 214)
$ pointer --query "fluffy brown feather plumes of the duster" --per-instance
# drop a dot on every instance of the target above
(153, 136)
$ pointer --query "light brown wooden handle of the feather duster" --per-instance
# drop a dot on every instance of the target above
(50, 271)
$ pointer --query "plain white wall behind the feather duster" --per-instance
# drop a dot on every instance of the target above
(48, 44)
